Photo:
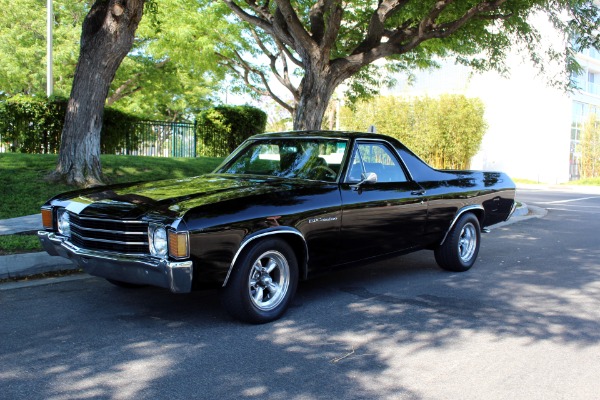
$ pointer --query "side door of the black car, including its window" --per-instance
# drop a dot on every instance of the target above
(384, 216)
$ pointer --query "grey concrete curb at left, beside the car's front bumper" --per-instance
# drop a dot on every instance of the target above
(28, 264)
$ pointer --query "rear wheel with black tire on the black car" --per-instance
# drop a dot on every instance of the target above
(459, 251)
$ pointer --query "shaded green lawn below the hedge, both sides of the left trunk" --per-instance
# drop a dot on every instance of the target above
(24, 188)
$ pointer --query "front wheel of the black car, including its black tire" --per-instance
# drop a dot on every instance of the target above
(262, 283)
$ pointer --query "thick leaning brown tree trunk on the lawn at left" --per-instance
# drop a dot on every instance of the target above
(106, 38)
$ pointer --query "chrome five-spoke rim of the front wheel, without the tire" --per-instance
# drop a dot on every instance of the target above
(269, 280)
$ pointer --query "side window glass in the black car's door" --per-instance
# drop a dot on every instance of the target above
(377, 158)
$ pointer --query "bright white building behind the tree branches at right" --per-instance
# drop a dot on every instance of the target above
(533, 129)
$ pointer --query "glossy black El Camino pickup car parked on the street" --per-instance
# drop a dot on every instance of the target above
(280, 209)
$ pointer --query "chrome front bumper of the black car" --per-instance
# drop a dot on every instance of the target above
(138, 269)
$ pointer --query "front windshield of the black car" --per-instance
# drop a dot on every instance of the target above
(304, 158)
